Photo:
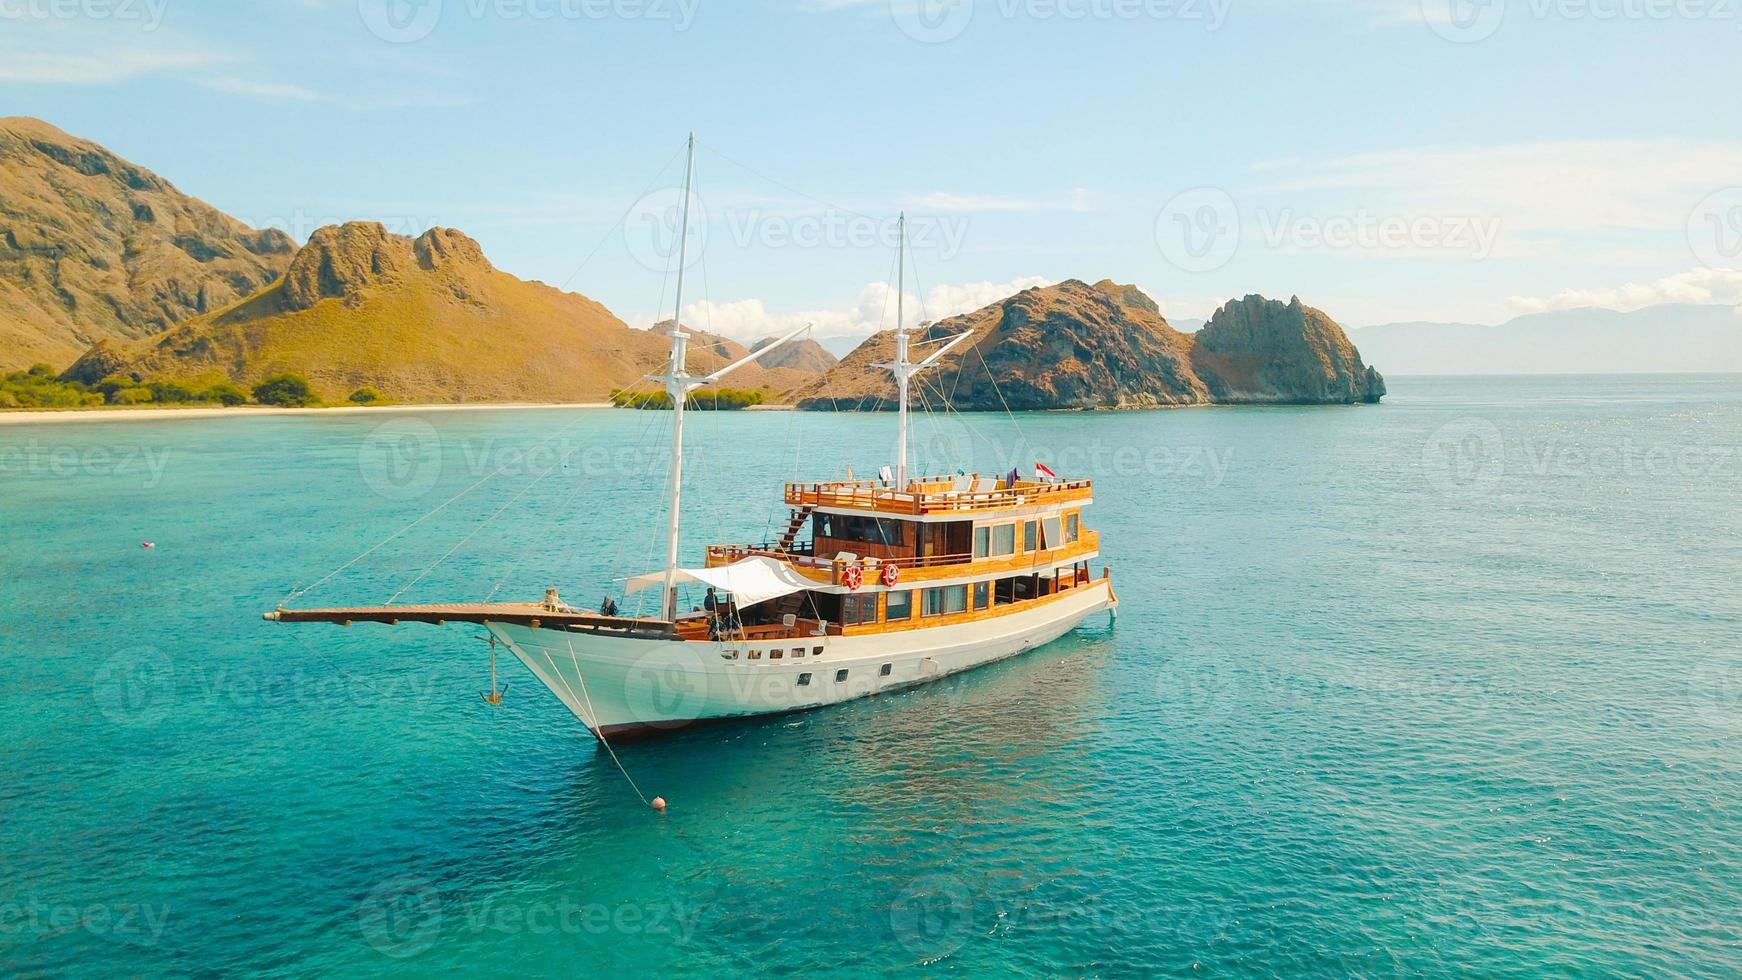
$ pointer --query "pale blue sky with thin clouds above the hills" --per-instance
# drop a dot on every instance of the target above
(1382, 159)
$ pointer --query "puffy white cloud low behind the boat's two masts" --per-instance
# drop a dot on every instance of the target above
(874, 311)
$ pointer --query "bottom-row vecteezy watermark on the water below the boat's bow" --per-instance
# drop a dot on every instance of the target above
(405, 916)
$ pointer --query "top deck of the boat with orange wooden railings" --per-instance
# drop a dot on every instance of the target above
(936, 497)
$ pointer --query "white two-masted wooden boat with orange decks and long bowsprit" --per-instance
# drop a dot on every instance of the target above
(903, 581)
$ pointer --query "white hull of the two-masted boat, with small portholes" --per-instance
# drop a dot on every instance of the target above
(625, 685)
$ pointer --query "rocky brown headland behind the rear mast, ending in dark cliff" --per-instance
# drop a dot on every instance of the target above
(1109, 347)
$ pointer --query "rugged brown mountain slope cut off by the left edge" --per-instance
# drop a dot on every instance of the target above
(95, 248)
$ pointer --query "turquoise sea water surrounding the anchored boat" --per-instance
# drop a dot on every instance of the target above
(1445, 685)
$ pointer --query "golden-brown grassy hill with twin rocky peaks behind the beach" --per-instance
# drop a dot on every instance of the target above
(421, 321)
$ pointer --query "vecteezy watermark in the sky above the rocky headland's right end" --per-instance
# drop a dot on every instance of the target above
(1203, 229)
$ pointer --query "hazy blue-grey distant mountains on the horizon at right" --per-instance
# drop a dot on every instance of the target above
(1666, 339)
